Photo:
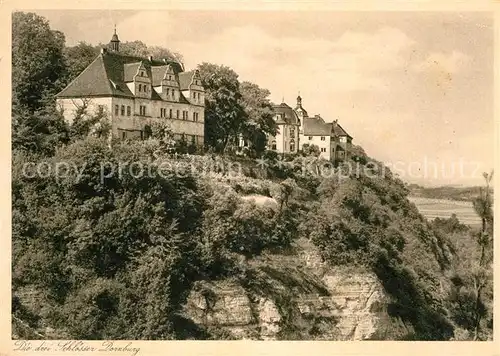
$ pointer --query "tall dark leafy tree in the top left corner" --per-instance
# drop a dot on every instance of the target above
(37, 61)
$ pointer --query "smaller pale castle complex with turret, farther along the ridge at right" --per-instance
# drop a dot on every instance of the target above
(296, 128)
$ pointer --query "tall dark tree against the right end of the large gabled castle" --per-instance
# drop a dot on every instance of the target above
(224, 114)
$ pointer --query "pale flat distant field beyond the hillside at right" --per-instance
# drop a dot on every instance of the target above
(440, 208)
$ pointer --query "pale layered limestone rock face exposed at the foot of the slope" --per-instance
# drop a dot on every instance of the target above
(298, 297)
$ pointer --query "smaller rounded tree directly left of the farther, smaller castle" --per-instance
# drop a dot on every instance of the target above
(259, 112)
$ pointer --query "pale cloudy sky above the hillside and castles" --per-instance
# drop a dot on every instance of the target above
(414, 89)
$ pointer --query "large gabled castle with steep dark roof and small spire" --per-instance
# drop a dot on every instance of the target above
(136, 92)
